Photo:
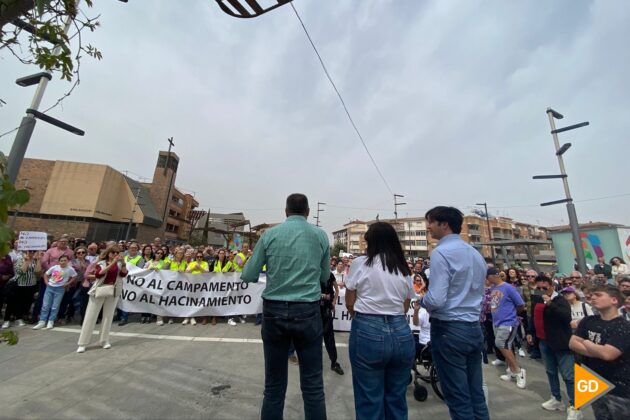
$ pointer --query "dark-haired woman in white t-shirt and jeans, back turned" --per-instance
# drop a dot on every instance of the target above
(382, 349)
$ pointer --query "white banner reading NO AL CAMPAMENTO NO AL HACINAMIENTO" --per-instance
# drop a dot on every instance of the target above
(170, 293)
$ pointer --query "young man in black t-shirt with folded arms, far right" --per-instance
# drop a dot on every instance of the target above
(604, 342)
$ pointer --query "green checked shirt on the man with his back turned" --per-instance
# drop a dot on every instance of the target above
(297, 257)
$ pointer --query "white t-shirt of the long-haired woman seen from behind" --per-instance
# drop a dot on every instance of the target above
(379, 292)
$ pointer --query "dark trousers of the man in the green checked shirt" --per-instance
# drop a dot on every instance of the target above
(300, 323)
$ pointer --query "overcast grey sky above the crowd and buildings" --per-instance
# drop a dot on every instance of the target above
(450, 97)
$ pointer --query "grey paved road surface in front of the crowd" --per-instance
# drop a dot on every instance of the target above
(177, 371)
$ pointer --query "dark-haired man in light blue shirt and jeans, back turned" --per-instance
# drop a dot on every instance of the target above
(456, 288)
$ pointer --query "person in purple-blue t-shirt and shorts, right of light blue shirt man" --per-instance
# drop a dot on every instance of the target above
(505, 303)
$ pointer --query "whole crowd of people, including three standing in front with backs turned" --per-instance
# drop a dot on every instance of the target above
(463, 306)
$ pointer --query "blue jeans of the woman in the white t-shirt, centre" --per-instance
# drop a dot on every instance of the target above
(382, 351)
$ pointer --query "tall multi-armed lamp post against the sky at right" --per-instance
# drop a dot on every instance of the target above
(560, 150)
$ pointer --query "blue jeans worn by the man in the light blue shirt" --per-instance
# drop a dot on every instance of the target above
(456, 349)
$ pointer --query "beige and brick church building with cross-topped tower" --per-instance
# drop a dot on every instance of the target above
(97, 202)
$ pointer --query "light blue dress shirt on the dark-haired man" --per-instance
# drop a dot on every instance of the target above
(456, 283)
